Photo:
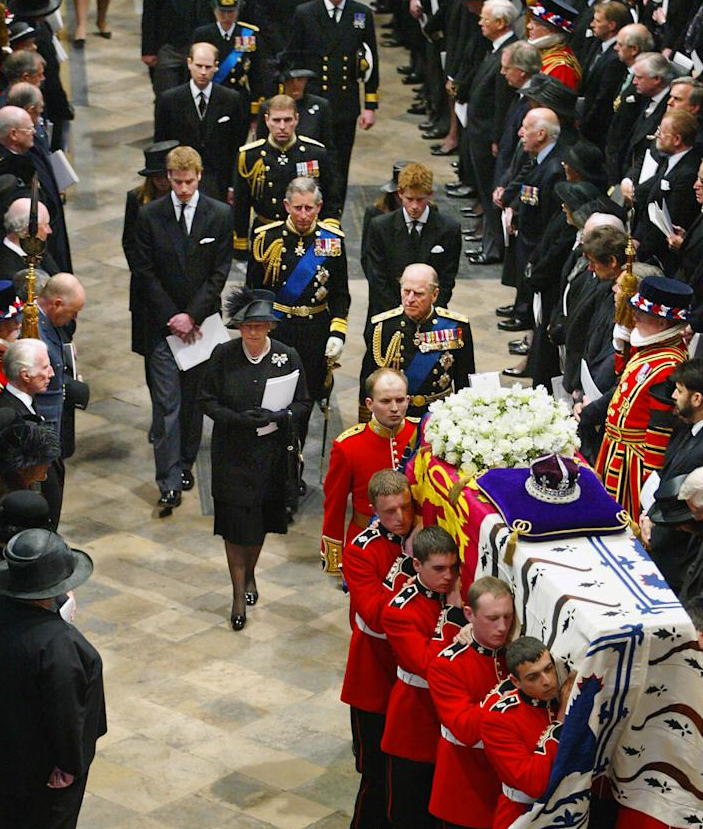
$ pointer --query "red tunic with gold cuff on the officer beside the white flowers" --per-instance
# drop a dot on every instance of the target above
(356, 454)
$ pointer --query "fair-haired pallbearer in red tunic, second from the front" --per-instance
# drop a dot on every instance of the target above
(465, 789)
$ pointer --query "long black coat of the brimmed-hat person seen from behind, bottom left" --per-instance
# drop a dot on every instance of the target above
(54, 714)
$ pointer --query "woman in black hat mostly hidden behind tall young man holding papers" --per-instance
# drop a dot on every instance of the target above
(154, 186)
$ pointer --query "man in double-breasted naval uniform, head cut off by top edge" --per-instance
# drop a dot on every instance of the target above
(340, 43)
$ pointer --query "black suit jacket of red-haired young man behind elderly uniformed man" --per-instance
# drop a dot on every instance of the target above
(390, 251)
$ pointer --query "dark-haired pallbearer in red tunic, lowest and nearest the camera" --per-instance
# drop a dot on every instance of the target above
(521, 729)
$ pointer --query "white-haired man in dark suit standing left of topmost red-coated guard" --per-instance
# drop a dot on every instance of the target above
(487, 107)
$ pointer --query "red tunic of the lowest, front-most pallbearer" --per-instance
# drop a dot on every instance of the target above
(520, 737)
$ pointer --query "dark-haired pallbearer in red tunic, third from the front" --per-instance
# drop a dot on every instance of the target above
(420, 621)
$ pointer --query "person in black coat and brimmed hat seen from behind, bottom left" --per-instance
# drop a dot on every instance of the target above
(52, 675)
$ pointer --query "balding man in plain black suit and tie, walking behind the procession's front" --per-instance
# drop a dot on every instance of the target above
(206, 116)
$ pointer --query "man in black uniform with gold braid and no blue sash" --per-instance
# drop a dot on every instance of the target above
(267, 166)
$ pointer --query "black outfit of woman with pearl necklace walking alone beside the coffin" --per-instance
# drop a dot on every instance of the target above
(248, 470)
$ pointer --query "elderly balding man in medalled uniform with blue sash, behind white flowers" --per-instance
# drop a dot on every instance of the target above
(433, 346)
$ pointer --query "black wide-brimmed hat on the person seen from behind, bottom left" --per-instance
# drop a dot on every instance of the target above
(40, 565)
